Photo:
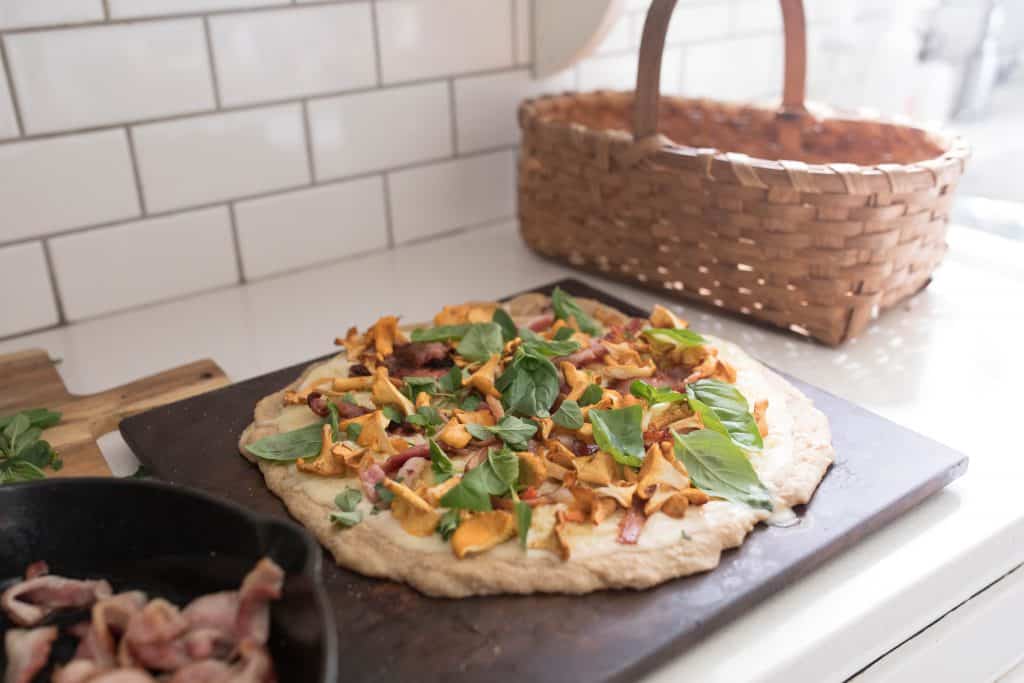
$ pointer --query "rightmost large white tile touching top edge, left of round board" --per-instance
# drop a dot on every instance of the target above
(425, 38)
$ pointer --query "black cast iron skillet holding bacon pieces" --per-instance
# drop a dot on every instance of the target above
(174, 543)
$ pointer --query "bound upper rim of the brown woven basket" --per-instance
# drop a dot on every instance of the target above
(831, 179)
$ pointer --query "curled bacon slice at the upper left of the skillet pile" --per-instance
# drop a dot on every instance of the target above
(29, 603)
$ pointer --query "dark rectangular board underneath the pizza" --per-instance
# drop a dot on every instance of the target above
(389, 632)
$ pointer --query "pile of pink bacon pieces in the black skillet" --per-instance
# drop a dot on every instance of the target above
(218, 638)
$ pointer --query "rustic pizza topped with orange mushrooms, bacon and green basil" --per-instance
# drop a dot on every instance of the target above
(540, 445)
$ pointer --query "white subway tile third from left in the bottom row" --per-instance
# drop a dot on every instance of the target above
(289, 232)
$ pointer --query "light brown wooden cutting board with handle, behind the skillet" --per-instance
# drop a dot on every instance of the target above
(31, 380)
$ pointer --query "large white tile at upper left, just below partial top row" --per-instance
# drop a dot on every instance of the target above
(101, 75)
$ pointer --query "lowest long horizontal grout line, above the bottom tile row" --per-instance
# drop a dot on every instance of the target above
(270, 193)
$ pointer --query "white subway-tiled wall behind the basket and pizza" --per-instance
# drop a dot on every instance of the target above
(152, 149)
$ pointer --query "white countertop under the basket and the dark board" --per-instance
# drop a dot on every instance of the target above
(949, 366)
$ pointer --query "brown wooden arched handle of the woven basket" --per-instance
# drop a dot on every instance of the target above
(650, 71)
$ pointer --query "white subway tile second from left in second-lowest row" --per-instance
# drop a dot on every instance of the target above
(219, 157)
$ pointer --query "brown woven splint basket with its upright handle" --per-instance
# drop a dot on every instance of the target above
(852, 223)
